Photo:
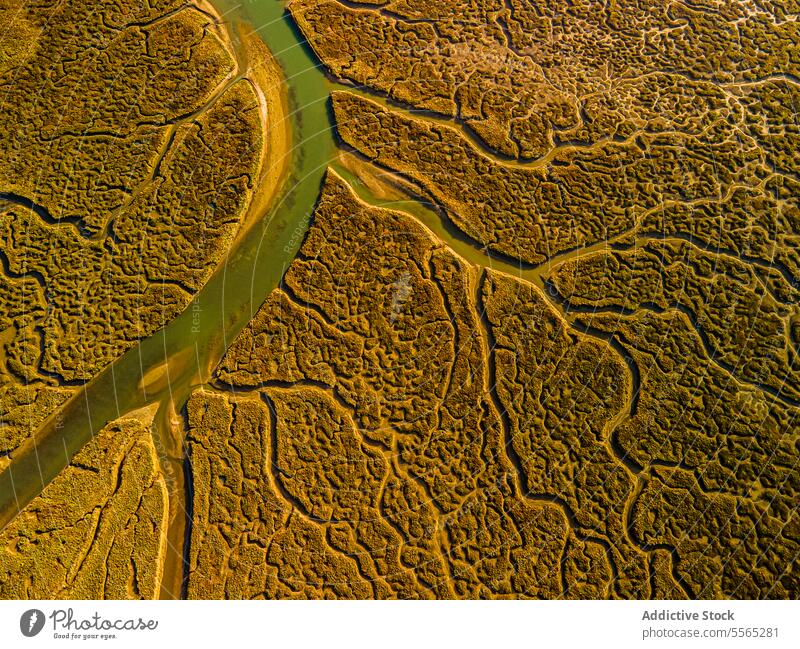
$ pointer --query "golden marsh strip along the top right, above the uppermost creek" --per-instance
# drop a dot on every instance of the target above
(526, 78)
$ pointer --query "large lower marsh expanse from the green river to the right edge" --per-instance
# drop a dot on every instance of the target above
(441, 430)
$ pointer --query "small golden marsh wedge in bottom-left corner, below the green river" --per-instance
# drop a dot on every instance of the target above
(98, 530)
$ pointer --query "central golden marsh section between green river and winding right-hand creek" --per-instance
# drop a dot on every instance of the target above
(434, 427)
